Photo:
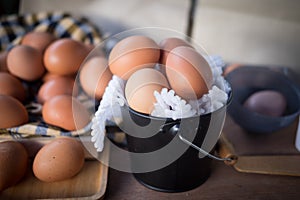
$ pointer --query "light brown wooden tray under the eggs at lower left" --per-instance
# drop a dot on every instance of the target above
(90, 183)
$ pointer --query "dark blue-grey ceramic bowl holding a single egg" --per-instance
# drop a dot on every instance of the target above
(248, 79)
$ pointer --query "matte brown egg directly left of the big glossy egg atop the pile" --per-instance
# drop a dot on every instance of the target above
(26, 63)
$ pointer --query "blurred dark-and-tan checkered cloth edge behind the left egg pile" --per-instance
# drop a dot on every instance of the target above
(61, 25)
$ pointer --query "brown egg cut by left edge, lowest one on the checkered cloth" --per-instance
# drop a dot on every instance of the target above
(12, 112)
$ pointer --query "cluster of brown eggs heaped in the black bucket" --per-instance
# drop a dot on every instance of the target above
(147, 67)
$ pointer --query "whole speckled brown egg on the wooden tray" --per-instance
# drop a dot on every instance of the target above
(59, 160)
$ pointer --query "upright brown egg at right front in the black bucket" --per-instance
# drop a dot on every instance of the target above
(188, 73)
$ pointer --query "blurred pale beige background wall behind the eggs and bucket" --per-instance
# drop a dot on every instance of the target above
(258, 32)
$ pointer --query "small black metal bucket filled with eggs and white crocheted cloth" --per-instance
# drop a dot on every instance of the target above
(190, 168)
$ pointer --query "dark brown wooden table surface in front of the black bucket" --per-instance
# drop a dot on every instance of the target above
(224, 183)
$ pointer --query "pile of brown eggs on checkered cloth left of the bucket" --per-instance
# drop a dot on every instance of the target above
(52, 64)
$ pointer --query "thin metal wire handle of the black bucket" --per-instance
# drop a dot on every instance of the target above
(202, 151)
